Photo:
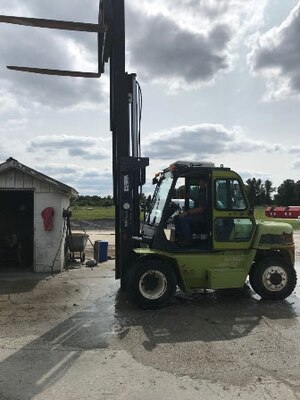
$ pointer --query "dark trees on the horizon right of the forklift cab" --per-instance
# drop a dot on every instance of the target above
(263, 193)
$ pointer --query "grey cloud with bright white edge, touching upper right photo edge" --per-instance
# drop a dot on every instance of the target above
(276, 55)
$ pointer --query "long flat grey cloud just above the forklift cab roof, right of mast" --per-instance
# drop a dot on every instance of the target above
(202, 141)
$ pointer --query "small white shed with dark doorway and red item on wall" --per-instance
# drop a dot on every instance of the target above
(32, 226)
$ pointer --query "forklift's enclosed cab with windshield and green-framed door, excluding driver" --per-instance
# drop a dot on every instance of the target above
(227, 223)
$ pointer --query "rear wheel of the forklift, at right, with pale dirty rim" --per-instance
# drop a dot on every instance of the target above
(273, 279)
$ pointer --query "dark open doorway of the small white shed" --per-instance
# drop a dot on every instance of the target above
(16, 229)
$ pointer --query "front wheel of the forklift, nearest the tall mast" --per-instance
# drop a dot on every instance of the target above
(151, 283)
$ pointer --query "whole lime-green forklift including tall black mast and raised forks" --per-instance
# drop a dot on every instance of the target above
(227, 247)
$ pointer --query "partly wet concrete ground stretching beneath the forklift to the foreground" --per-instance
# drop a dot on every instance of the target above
(76, 336)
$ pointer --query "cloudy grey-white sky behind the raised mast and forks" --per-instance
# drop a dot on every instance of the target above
(220, 82)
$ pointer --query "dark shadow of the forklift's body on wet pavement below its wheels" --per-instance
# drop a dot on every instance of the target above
(204, 316)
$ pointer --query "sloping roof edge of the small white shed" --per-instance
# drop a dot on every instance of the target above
(11, 163)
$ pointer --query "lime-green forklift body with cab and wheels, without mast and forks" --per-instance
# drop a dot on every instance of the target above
(226, 248)
